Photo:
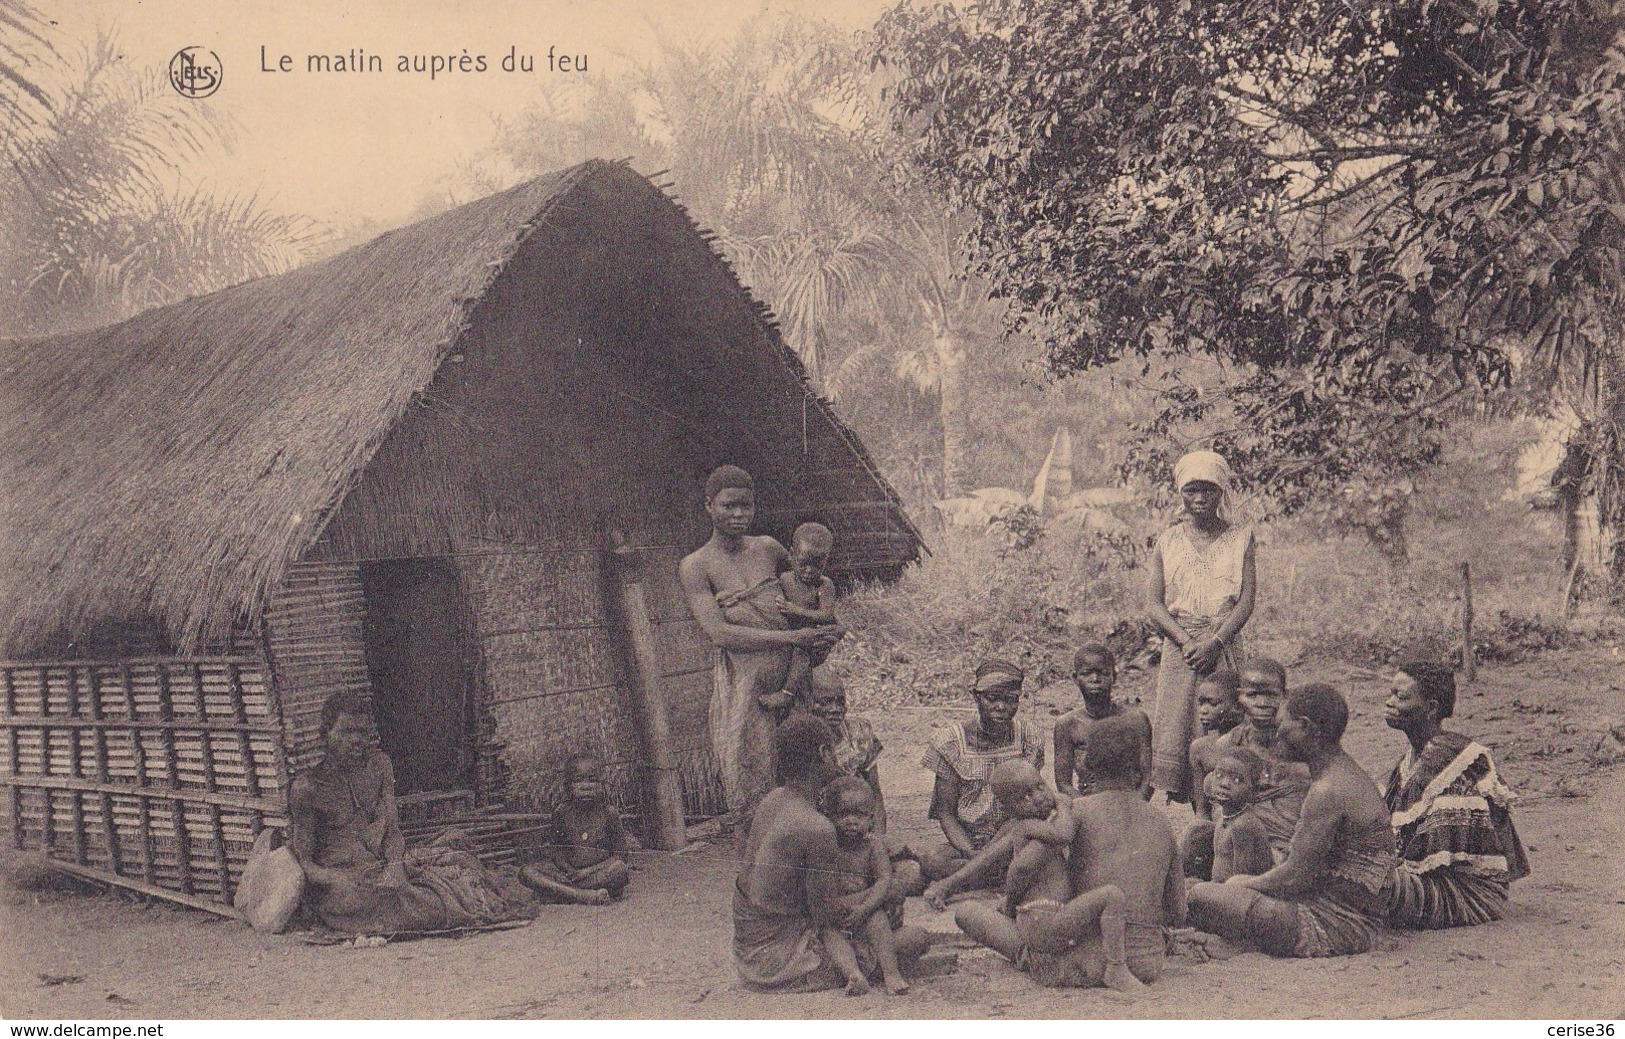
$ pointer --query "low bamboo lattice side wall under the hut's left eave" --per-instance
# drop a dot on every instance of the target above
(162, 772)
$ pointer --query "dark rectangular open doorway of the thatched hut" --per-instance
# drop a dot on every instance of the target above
(418, 663)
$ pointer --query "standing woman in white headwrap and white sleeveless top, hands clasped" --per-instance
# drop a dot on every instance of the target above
(1202, 596)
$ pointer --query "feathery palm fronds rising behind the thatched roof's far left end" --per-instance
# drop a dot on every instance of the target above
(92, 228)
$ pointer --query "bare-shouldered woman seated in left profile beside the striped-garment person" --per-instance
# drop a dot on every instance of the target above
(1328, 897)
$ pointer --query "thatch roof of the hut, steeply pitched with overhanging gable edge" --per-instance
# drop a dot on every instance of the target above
(176, 464)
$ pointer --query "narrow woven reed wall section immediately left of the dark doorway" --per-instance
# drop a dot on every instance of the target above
(316, 628)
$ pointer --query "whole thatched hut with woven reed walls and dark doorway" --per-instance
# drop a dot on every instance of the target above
(462, 412)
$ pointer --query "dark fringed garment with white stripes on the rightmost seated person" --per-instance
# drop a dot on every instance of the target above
(1458, 850)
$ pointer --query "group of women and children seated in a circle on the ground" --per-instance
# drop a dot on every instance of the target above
(1294, 850)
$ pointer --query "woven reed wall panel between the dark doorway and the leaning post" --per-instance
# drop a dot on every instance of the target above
(552, 679)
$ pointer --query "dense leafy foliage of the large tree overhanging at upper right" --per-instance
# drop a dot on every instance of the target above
(1359, 211)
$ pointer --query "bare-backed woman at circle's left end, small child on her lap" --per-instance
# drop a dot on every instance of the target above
(784, 897)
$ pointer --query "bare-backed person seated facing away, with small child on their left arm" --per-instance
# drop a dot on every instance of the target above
(1094, 916)
